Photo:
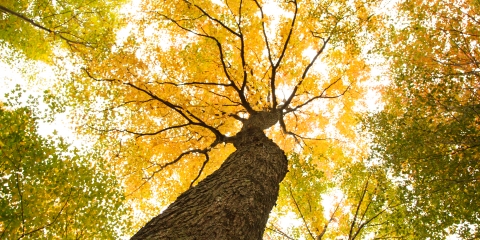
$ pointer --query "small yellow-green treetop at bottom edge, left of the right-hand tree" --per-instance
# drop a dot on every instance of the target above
(374, 207)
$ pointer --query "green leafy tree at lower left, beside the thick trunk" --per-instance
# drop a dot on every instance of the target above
(49, 190)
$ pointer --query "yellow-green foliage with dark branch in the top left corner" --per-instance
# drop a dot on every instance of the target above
(36, 28)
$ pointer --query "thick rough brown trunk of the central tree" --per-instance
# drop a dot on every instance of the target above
(234, 202)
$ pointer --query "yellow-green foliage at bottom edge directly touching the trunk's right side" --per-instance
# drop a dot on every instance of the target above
(300, 193)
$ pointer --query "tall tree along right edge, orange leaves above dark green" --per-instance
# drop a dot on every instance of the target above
(428, 132)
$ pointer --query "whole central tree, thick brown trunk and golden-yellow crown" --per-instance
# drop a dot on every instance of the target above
(194, 80)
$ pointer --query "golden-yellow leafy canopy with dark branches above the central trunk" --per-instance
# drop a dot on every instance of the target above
(187, 75)
